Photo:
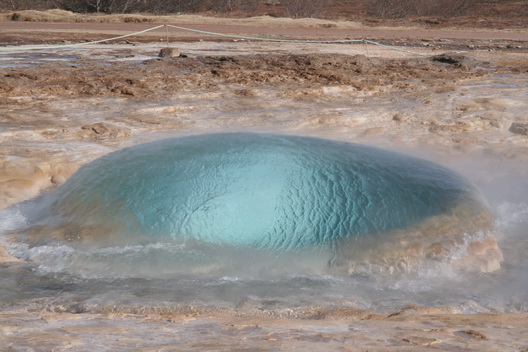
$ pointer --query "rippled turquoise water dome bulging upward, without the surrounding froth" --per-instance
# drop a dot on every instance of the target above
(273, 192)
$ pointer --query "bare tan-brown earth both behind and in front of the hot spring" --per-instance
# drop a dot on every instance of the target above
(69, 107)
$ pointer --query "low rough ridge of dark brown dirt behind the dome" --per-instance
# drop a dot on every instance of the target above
(159, 77)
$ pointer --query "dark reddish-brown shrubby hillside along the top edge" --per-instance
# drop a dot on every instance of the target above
(366, 11)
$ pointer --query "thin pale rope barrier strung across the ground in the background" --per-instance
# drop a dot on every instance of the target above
(334, 41)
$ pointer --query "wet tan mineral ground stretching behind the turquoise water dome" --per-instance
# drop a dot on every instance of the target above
(74, 104)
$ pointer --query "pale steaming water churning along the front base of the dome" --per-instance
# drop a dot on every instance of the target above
(142, 278)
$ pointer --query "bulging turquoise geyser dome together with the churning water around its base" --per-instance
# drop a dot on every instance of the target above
(236, 221)
